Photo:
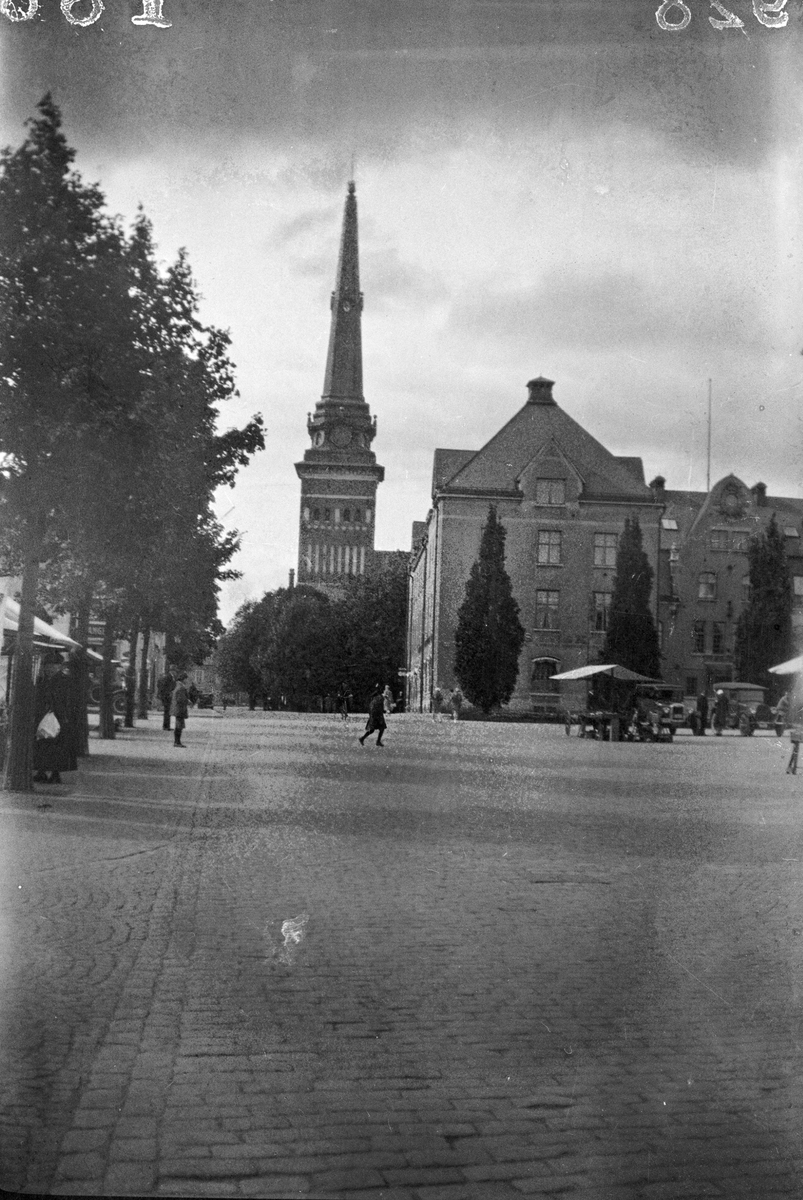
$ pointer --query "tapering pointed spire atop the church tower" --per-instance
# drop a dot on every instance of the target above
(344, 377)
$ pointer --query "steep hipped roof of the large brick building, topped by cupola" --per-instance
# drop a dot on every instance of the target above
(499, 465)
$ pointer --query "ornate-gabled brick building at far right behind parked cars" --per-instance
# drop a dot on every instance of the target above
(704, 581)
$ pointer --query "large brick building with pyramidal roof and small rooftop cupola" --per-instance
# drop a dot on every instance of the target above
(564, 500)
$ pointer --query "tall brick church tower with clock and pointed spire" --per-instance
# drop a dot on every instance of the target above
(340, 473)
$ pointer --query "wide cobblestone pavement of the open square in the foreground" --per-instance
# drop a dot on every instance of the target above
(484, 962)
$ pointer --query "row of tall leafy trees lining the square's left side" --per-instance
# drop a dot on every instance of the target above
(111, 389)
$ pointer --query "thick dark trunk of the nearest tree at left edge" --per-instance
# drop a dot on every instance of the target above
(20, 760)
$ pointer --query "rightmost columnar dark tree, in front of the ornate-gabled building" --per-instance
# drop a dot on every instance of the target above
(764, 632)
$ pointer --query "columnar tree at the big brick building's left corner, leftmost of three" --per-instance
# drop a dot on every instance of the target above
(490, 637)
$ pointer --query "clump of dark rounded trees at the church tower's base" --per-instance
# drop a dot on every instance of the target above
(296, 647)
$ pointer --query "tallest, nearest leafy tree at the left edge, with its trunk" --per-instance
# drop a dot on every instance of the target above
(69, 367)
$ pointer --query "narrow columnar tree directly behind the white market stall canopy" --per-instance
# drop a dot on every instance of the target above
(632, 638)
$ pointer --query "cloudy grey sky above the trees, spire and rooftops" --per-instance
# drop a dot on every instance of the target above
(554, 188)
